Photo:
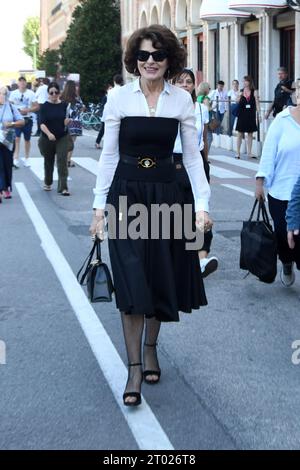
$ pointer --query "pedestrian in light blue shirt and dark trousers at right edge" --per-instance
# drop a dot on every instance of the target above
(279, 171)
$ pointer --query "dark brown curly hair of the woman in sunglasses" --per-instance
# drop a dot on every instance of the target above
(162, 38)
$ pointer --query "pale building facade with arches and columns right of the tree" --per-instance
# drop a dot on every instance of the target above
(227, 39)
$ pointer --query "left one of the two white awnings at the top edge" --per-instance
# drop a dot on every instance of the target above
(218, 10)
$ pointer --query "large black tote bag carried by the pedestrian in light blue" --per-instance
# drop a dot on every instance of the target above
(259, 246)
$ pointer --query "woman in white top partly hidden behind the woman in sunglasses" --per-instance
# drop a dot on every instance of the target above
(186, 81)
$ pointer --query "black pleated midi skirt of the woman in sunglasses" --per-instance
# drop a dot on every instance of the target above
(153, 277)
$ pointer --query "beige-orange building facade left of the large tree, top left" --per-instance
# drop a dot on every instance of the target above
(56, 16)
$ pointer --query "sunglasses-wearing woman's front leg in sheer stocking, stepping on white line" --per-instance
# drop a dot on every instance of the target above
(133, 327)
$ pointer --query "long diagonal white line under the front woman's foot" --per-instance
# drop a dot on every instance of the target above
(142, 422)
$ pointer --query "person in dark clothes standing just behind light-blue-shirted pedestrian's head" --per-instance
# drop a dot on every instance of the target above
(282, 93)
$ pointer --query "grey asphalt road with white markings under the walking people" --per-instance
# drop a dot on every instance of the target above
(228, 379)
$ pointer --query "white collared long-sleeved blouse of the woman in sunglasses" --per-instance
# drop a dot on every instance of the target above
(129, 101)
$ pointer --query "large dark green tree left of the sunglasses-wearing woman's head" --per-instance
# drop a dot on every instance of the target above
(92, 47)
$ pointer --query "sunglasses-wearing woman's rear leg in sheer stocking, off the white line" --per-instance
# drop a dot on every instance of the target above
(150, 352)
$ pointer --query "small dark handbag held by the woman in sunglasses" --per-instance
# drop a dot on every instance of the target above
(97, 275)
